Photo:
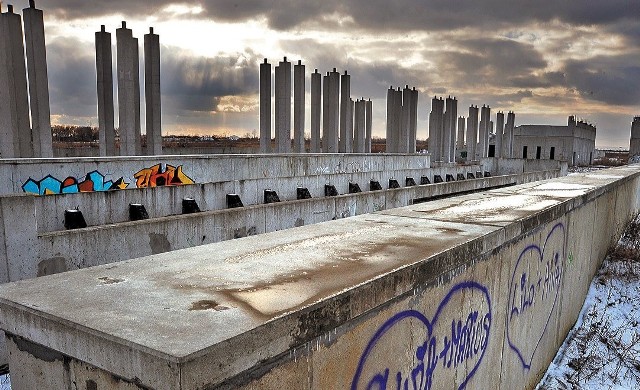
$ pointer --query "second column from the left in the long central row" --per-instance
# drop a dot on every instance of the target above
(283, 107)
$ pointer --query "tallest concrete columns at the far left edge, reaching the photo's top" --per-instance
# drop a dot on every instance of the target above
(18, 136)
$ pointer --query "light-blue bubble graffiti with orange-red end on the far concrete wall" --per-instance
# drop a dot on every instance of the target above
(93, 181)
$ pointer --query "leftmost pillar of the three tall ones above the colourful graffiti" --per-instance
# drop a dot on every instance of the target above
(104, 73)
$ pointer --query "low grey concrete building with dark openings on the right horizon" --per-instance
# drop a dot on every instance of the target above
(574, 143)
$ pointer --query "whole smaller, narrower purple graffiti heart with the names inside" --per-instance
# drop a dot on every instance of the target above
(533, 293)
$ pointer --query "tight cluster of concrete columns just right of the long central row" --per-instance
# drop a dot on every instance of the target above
(402, 120)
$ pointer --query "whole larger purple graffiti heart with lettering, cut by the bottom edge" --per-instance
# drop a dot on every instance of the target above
(414, 350)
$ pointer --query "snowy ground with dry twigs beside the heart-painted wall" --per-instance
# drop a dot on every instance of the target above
(602, 351)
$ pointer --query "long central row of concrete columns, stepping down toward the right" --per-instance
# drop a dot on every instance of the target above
(346, 125)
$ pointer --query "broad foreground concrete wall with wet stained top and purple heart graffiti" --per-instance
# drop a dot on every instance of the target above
(473, 291)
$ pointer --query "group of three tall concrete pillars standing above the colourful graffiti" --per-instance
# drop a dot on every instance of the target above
(128, 78)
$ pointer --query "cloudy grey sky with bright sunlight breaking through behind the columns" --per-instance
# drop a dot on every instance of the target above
(543, 59)
